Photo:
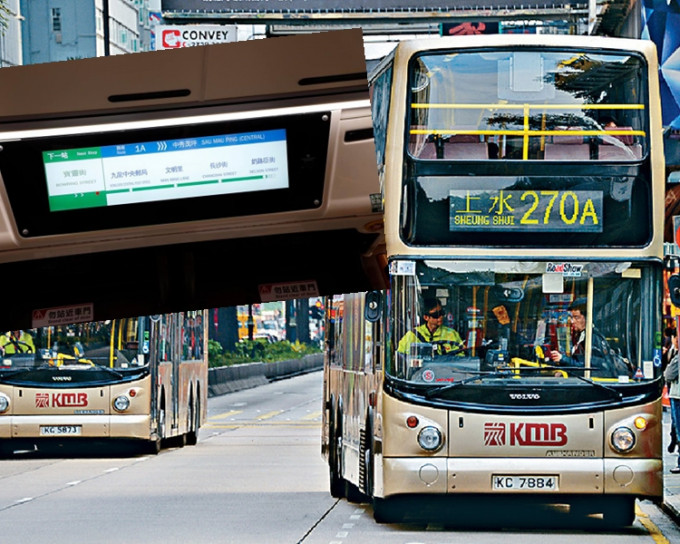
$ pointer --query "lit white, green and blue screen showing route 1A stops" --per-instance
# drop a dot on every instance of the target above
(162, 170)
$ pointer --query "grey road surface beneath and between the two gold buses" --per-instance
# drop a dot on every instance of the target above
(256, 476)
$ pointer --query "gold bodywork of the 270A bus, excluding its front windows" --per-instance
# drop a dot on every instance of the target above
(370, 447)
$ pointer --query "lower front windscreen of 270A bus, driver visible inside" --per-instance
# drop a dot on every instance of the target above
(513, 318)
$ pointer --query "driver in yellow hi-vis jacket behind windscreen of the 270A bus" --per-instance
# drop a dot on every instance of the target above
(433, 331)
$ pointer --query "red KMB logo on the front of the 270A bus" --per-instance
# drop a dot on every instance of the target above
(525, 434)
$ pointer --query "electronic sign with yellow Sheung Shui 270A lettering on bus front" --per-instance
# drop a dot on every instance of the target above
(527, 210)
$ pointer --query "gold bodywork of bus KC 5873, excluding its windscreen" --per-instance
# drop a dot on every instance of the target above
(168, 403)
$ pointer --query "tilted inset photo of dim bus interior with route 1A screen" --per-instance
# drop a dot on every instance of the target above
(190, 178)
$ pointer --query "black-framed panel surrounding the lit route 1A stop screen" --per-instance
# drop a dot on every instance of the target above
(155, 172)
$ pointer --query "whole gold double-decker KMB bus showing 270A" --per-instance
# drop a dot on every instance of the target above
(523, 189)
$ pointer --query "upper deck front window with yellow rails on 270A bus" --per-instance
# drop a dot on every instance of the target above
(528, 105)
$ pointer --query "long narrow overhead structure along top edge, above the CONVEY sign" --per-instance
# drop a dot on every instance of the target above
(378, 8)
